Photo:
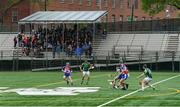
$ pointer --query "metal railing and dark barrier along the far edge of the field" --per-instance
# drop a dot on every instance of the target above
(11, 60)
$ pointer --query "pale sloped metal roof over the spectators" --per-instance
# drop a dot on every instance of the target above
(64, 17)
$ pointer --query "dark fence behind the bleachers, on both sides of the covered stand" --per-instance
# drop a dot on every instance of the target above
(120, 26)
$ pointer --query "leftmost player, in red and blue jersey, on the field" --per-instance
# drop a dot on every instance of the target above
(67, 74)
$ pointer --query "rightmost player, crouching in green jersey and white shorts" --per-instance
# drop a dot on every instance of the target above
(148, 78)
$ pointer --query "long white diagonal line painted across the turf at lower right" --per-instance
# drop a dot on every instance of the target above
(136, 91)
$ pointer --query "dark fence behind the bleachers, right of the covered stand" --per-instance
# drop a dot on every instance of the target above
(145, 25)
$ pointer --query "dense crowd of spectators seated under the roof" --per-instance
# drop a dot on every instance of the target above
(57, 39)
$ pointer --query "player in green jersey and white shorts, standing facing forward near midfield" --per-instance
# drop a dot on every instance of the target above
(85, 68)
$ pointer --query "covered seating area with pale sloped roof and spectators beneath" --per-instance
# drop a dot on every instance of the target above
(72, 32)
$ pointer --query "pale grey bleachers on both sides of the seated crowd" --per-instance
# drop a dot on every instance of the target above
(131, 45)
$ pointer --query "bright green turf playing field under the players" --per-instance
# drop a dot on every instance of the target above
(166, 94)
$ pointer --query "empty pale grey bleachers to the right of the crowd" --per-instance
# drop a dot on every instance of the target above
(134, 44)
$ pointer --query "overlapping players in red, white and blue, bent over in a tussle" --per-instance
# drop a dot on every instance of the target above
(122, 76)
